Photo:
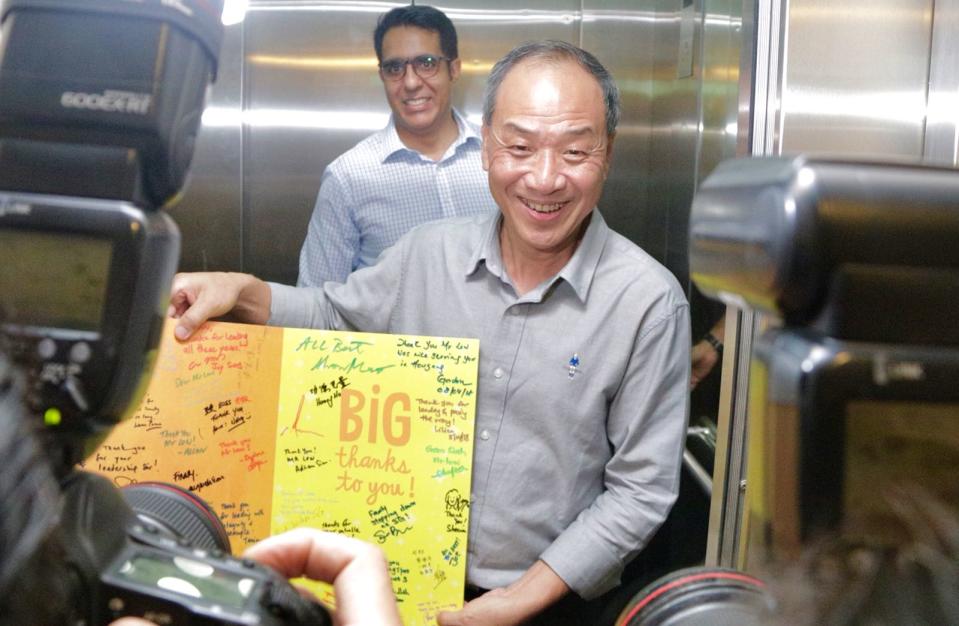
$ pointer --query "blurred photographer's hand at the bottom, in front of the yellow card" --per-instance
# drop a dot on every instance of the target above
(357, 570)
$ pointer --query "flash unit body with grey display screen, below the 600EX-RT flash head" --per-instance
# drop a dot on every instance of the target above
(83, 286)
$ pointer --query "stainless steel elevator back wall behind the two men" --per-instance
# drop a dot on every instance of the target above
(298, 86)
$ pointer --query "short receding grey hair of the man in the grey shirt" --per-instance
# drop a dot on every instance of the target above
(552, 51)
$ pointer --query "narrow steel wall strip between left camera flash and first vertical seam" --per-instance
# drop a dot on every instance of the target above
(209, 214)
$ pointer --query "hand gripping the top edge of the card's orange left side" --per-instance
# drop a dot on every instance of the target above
(197, 297)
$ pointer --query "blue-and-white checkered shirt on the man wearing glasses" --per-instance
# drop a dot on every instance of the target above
(378, 190)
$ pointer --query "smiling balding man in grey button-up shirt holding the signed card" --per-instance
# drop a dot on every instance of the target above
(584, 344)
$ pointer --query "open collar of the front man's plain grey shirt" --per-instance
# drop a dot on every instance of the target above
(578, 271)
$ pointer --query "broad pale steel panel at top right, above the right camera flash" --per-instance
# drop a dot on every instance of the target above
(855, 81)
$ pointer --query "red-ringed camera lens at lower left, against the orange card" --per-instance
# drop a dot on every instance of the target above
(178, 512)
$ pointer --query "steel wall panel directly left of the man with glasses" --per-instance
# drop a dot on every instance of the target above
(311, 91)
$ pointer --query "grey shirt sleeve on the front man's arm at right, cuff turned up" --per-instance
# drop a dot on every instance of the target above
(646, 428)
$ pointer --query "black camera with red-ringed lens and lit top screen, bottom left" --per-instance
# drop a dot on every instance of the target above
(150, 552)
